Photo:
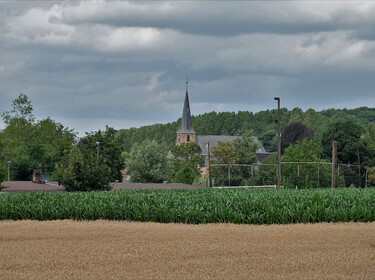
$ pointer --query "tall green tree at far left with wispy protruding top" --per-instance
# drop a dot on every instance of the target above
(29, 145)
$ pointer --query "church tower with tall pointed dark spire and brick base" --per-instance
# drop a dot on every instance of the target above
(186, 132)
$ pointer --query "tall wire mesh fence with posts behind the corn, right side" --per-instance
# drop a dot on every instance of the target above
(294, 175)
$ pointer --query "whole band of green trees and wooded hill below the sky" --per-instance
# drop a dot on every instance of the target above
(27, 144)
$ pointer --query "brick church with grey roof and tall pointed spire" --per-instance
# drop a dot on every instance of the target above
(187, 134)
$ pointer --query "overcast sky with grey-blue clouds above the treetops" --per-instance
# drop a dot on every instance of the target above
(88, 64)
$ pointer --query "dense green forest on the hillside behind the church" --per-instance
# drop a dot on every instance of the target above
(261, 123)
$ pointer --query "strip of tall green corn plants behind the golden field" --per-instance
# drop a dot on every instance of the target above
(243, 206)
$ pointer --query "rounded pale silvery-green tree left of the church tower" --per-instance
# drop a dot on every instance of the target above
(147, 163)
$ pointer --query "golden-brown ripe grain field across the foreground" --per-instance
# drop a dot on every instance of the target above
(123, 250)
